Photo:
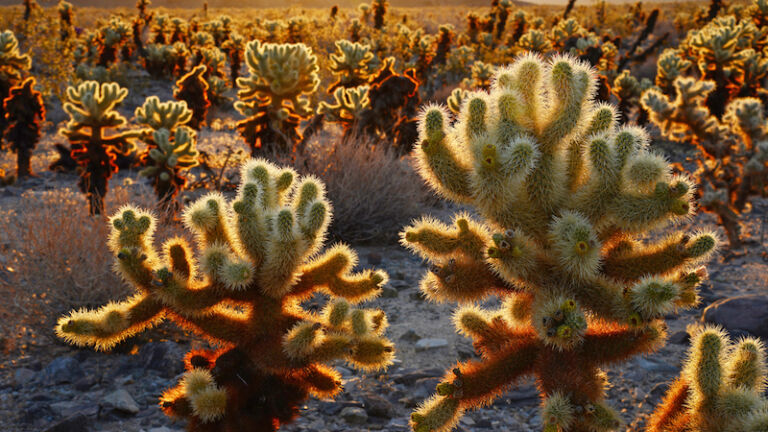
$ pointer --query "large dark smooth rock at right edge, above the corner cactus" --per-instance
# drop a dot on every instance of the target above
(740, 315)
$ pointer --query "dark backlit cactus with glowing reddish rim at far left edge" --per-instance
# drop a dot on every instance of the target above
(24, 112)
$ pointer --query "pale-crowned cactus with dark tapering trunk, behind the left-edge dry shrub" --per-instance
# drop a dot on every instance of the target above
(92, 136)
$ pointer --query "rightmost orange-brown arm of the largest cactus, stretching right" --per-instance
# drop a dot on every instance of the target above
(676, 252)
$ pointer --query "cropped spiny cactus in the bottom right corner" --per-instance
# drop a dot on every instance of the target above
(720, 389)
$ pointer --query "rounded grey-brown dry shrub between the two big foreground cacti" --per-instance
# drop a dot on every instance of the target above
(374, 193)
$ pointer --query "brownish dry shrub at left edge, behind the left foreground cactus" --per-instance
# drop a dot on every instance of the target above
(56, 259)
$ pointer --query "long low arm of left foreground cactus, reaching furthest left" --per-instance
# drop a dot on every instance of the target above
(105, 327)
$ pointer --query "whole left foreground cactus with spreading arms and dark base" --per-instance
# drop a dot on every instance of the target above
(259, 257)
